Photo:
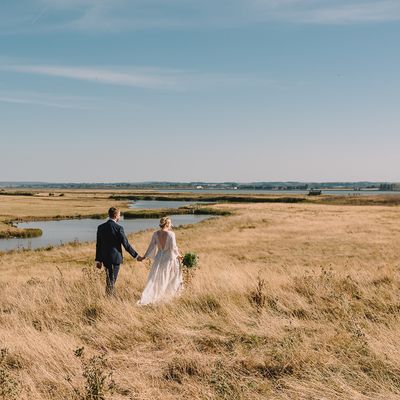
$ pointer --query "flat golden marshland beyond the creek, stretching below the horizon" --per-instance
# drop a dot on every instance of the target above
(28, 204)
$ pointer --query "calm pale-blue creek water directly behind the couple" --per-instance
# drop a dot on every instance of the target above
(84, 230)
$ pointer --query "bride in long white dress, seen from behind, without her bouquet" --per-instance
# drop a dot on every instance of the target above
(165, 277)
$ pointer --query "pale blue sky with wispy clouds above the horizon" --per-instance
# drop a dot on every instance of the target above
(199, 90)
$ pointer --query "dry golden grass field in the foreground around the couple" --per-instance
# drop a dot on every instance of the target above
(292, 301)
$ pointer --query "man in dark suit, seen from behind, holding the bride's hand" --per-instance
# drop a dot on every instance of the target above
(110, 237)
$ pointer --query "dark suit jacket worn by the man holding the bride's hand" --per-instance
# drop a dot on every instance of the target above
(110, 239)
